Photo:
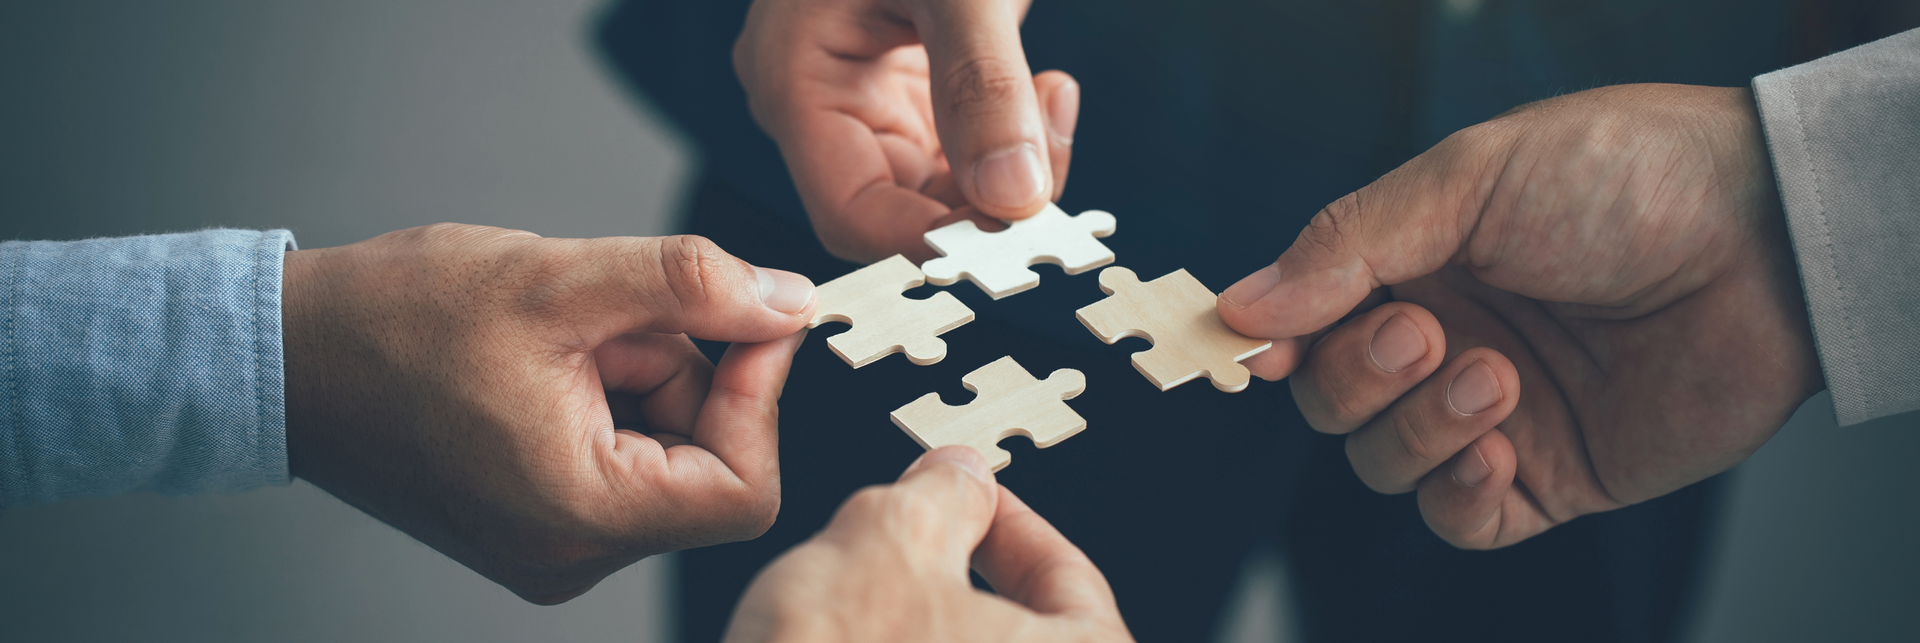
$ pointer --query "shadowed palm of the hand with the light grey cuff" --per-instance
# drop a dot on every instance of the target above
(1631, 279)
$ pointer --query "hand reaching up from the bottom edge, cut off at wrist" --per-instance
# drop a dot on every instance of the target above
(894, 567)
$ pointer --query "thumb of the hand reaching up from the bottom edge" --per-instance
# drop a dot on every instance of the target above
(934, 517)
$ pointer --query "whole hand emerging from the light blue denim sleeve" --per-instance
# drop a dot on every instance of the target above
(531, 408)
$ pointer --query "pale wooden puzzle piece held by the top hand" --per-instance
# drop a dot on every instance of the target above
(997, 262)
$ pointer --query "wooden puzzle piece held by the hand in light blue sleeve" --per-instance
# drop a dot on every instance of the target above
(884, 320)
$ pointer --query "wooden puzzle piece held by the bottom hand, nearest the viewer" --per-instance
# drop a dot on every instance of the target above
(1011, 404)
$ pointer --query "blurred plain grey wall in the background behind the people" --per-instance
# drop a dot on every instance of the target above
(345, 120)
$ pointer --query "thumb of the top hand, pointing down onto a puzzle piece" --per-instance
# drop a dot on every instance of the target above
(986, 107)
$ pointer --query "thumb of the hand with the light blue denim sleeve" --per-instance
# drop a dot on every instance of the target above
(690, 285)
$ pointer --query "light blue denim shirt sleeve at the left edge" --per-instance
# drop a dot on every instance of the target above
(147, 364)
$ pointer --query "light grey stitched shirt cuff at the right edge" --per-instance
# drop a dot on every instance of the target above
(1844, 135)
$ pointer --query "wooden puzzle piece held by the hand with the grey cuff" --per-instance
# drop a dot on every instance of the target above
(1176, 314)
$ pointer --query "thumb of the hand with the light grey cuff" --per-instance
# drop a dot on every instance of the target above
(1404, 226)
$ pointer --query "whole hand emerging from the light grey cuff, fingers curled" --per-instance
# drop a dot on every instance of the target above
(1593, 304)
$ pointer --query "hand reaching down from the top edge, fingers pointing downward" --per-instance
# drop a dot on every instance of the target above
(903, 116)
